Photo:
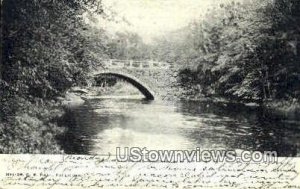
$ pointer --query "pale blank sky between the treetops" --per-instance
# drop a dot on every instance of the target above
(153, 18)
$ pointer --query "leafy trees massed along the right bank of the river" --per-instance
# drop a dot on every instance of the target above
(242, 51)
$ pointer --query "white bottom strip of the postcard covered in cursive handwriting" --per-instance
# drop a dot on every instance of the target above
(74, 171)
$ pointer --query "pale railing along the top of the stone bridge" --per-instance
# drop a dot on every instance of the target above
(148, 64)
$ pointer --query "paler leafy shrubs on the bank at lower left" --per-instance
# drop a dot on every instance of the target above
(32, 128)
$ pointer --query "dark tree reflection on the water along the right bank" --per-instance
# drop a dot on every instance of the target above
(240, 127)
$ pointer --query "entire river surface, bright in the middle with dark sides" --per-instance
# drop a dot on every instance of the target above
(102, 124)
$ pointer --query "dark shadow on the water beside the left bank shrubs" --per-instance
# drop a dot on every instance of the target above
(83, 123)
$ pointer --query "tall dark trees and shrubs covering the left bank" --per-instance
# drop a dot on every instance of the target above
(42, 57)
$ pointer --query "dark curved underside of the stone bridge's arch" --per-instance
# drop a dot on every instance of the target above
(130, 79)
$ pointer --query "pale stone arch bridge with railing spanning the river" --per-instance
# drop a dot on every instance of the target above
(153, 79)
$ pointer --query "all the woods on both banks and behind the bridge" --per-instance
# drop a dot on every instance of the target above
(239, 51)
